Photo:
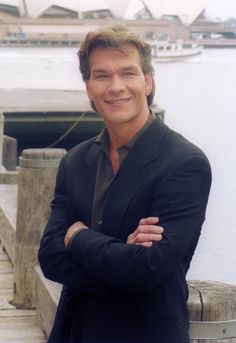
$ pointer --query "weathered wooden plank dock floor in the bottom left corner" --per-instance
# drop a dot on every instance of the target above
(16, 325)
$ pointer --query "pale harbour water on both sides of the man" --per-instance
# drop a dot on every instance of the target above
(199, 98)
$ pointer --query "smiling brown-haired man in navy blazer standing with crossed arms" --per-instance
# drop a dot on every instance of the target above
(128, 209)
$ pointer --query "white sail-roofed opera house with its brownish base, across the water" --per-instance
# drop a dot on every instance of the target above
(67, 21)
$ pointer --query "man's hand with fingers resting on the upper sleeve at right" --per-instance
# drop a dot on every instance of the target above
(146, 233)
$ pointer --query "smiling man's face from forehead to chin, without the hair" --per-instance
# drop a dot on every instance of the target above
(117, 85)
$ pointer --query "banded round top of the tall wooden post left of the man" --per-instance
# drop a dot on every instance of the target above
(41, 158)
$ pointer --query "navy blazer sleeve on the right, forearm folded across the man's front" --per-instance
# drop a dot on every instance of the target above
(179, 200)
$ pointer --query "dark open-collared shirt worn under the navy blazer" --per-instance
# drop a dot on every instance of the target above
(105, 175)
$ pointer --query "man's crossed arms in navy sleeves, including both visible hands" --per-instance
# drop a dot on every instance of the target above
(94, 261)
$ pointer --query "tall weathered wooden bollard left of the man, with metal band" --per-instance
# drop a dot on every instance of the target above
(36, 181)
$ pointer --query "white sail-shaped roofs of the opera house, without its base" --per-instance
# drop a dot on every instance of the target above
(186, 11)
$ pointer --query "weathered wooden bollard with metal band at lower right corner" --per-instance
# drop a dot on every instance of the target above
(212, 312)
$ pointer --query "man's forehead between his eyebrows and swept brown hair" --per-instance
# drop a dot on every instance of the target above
(107, 56)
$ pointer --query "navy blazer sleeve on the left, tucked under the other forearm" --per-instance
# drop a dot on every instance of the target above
(55, 260)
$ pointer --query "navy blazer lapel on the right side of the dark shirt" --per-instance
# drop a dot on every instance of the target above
(131, 176)
